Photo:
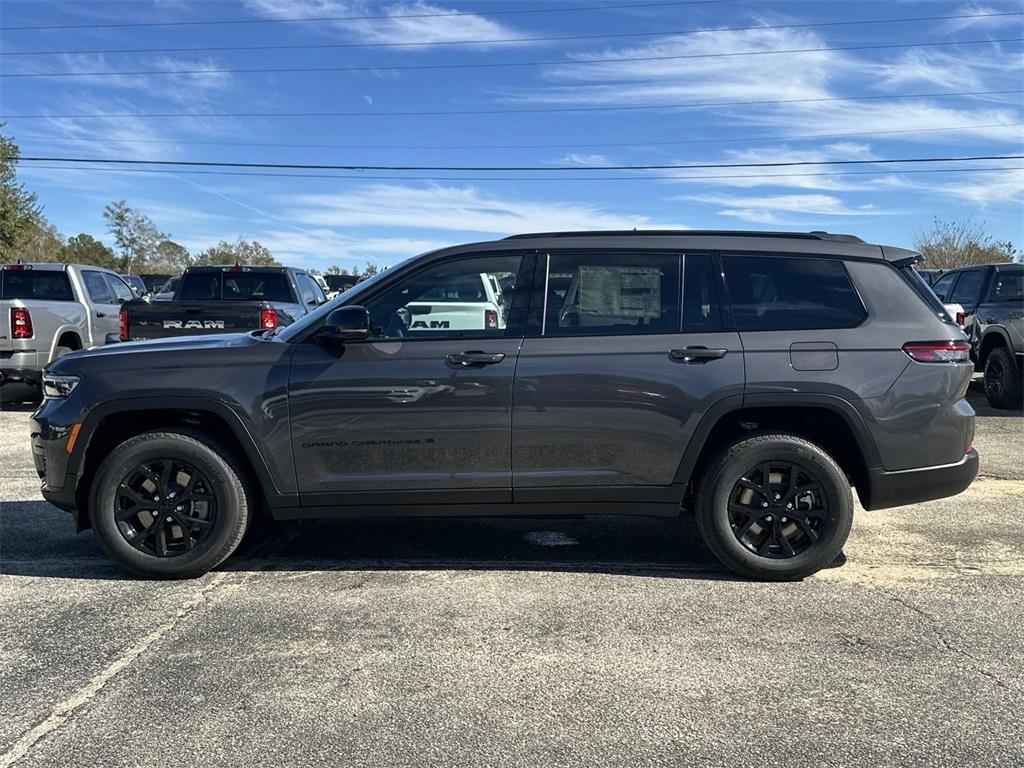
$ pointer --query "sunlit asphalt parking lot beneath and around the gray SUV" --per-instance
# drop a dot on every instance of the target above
(515, 643)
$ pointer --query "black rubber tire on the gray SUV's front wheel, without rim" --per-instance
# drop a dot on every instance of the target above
(231, 500)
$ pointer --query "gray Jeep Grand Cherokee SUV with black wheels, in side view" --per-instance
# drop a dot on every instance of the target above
(751, 378)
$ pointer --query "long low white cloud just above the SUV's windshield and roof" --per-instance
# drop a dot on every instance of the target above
(464, 209)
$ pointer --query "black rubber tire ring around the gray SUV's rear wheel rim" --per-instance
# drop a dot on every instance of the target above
(835, 489)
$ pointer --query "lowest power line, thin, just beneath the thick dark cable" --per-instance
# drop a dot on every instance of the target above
(646, 178)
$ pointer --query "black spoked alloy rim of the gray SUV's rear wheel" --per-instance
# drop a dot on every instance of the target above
(779, 509)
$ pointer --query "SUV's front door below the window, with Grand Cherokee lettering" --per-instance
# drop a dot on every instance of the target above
(400, 416)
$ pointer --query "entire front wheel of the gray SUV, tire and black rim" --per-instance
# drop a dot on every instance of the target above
(166, 505)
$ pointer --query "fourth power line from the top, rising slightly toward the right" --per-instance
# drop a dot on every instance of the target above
(529, 111)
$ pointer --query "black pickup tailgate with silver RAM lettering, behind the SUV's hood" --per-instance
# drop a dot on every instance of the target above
(165, 319)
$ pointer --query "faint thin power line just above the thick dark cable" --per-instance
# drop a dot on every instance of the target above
(575, 145)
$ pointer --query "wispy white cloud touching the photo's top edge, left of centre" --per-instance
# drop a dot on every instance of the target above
(401, 29)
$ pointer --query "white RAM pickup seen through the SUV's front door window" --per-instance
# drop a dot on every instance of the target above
(477, 304)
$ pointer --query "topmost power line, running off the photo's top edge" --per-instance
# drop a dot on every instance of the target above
(308, 20)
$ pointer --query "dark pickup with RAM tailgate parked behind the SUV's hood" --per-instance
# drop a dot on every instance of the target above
(225, 300)
